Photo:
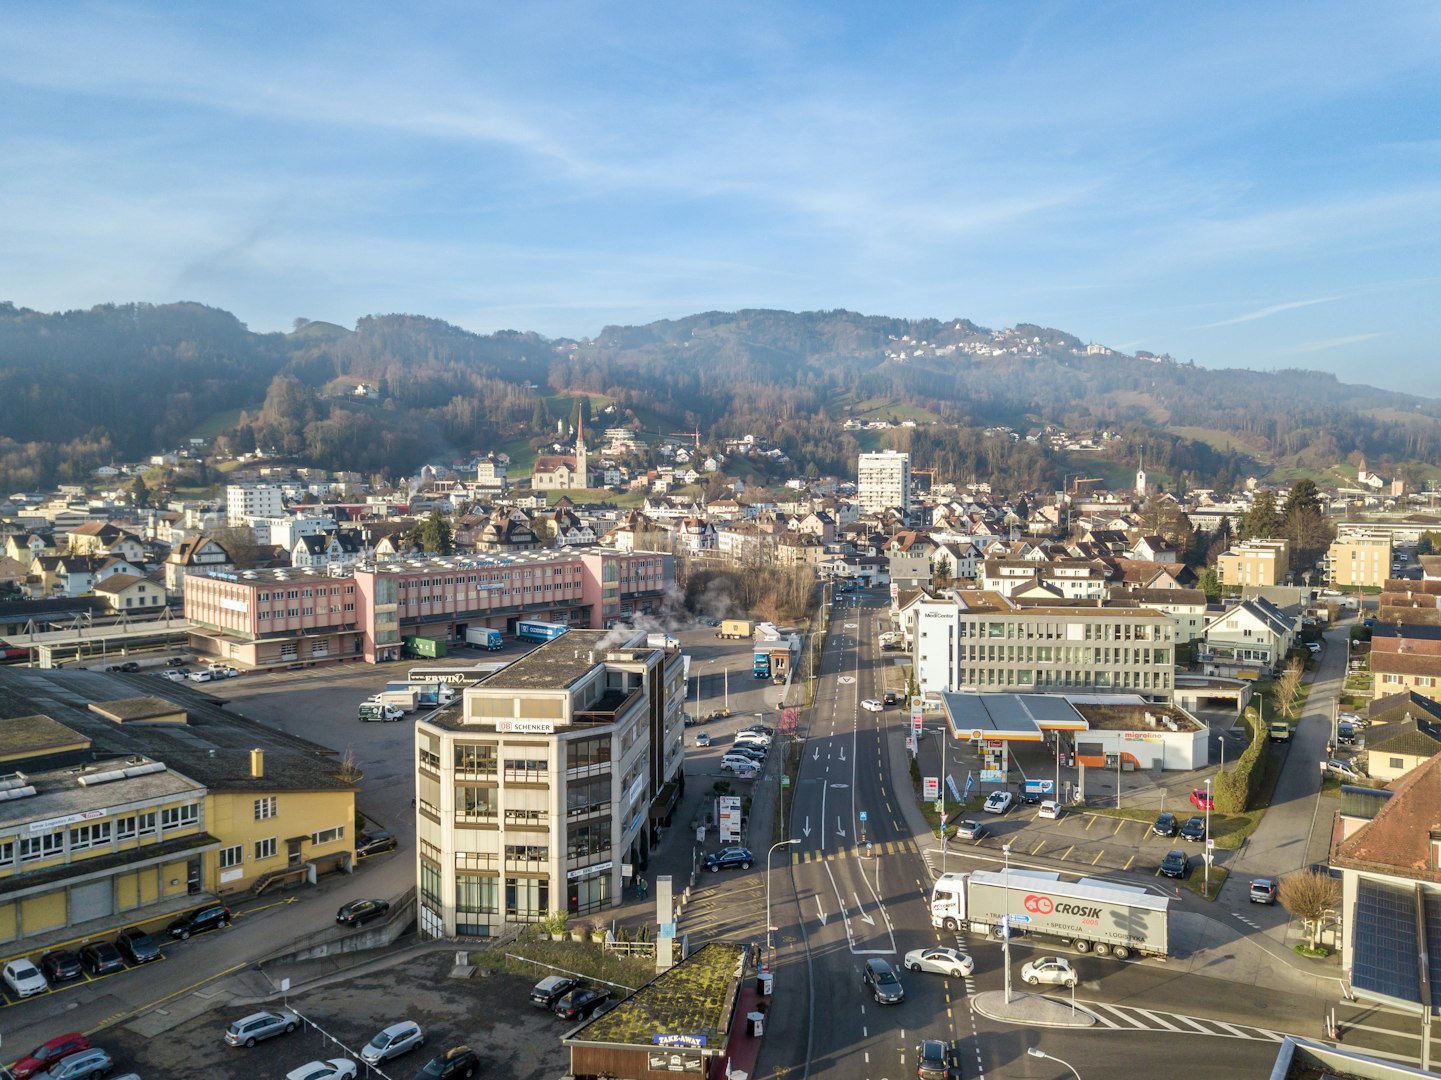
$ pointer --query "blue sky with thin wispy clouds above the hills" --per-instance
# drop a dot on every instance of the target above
(1241, 185)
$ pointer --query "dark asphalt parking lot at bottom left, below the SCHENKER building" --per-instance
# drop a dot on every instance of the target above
(494, 1016)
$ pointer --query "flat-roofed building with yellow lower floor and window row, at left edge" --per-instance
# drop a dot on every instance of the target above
(90, 843)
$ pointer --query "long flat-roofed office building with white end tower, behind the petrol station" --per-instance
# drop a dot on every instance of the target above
(983, 642)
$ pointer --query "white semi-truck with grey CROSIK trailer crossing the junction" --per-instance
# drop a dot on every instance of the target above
(1090, 916)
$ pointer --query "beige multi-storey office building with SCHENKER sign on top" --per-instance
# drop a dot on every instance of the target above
(544, 781)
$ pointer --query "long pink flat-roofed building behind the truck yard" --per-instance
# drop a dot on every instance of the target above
(292, 616)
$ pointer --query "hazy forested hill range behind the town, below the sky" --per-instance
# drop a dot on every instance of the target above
(119, 383)
